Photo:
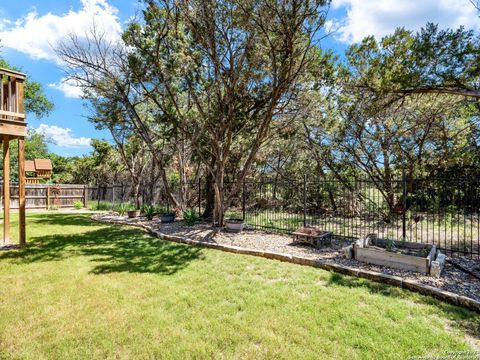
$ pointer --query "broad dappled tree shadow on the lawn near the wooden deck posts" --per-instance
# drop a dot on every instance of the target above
(112, 249)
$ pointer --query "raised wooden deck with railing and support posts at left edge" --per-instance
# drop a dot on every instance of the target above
(13, 127)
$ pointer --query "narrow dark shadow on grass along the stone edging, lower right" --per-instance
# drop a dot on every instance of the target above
(467, 320)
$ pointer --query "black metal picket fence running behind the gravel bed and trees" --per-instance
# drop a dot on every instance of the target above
(444, 212)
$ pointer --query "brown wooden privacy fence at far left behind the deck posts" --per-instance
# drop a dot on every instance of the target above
(45, 196)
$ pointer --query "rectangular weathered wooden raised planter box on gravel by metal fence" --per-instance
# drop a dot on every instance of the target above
(372, 251)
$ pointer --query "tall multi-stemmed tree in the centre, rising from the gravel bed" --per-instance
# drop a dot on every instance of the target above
(223, 72)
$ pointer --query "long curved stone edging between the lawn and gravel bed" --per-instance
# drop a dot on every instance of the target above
(397, 281)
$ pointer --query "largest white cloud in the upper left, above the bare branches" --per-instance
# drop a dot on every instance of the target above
(37, 35)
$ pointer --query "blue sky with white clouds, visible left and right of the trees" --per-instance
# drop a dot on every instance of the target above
(29, 29)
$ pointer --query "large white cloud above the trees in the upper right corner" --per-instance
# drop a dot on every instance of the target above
(382, 17)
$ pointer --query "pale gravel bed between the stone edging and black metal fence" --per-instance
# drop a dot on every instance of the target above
(452, 279)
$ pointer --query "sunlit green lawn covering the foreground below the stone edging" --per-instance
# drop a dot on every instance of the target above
(82, 290)
